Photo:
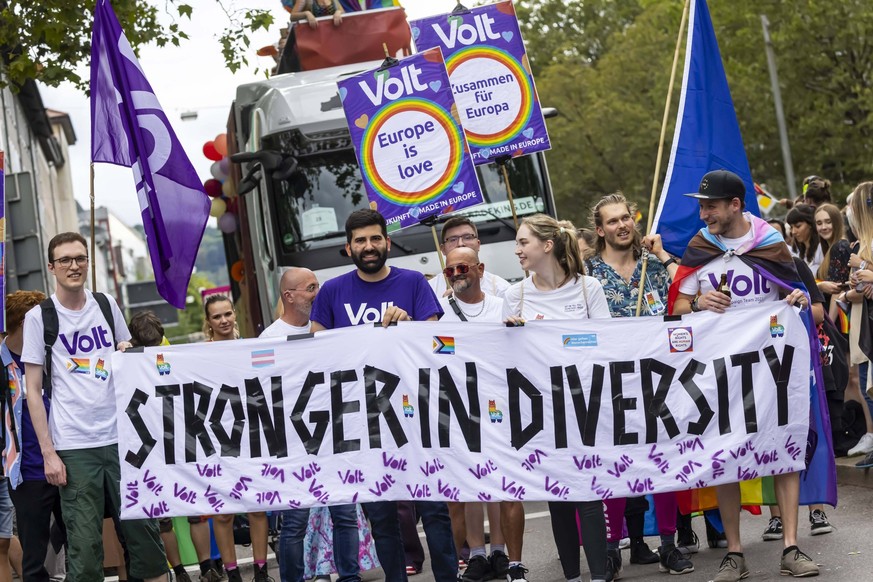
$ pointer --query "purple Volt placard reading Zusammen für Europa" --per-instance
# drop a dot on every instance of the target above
(491, 79)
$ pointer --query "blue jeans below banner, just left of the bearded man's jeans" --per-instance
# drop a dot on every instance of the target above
(345, 543)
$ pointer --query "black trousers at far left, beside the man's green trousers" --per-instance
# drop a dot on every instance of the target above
(35, 502)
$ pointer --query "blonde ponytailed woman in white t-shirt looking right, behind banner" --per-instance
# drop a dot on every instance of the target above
(559, 289)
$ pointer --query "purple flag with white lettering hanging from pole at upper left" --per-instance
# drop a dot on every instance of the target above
(129, 128)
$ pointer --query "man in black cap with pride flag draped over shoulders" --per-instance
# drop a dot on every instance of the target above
(735, 243)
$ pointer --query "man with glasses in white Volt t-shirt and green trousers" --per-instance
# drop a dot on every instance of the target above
(79, 442)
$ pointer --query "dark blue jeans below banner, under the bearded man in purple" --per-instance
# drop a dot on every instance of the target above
(385, 527)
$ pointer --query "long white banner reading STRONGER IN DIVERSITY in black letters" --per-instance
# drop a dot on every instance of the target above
(555, 410)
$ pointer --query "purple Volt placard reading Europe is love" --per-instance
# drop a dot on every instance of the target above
(414, 158)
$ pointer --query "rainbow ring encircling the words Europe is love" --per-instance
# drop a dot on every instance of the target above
(442, 119)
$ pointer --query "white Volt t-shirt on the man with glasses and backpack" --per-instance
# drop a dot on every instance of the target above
(83, 393)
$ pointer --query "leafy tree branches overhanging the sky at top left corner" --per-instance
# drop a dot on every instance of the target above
(47, 40)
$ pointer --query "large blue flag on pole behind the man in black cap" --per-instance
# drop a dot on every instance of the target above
(707, 136)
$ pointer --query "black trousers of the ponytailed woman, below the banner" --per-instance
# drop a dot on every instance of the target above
(566, 533)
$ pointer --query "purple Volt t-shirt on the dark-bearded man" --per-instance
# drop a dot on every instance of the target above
(348, 300)
